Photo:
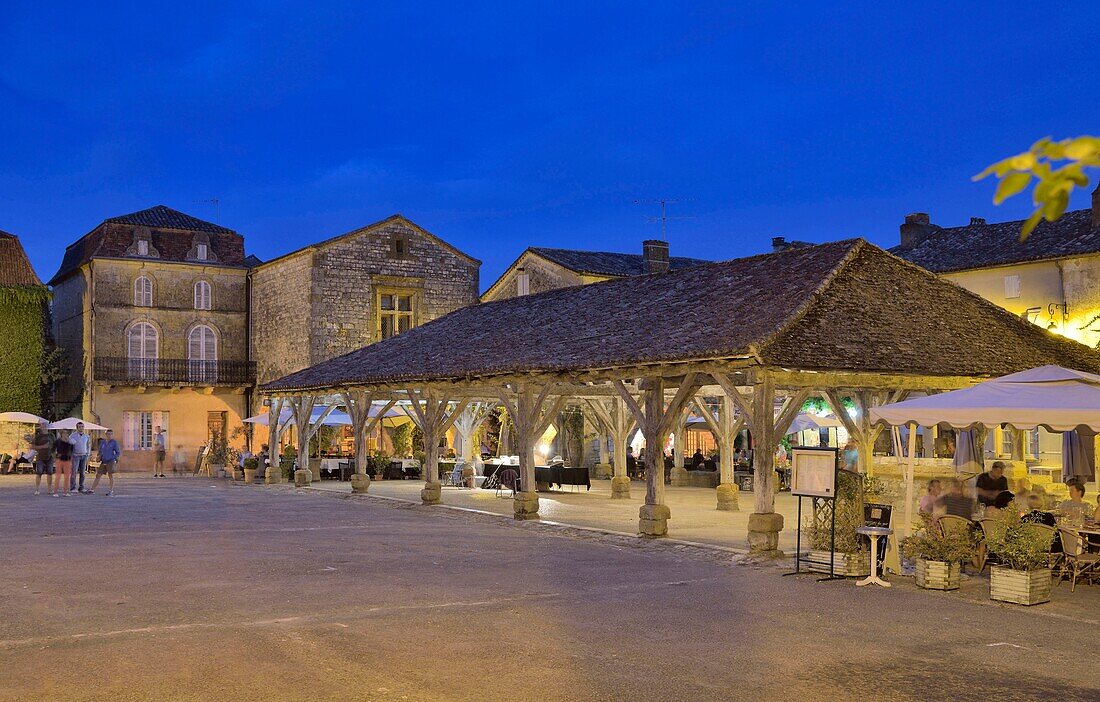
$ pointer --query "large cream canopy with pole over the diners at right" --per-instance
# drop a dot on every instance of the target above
(1051, 397)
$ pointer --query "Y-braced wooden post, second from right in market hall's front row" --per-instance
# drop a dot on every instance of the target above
(656, 420)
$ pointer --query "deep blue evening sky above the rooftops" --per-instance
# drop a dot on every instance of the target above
(501, 126)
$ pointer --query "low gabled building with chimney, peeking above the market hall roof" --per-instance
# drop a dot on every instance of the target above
(538, 270)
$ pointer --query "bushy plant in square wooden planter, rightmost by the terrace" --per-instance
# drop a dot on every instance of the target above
(1024, 577)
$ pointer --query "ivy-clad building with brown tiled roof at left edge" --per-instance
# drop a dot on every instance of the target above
(24, 319)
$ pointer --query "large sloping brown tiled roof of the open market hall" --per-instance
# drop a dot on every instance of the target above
(846, 306)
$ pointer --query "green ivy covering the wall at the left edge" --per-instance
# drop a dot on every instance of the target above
(23, 353)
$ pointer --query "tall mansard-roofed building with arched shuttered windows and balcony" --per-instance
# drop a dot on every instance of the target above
(151, 310)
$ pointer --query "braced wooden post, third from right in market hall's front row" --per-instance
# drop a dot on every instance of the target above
(531, 414)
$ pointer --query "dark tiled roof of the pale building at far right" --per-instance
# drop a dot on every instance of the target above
(982, 246)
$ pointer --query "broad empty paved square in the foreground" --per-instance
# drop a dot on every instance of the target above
(188, 589)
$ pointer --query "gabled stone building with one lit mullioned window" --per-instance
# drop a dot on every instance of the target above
(342, 294)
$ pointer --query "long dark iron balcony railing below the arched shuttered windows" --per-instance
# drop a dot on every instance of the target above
(173, 371)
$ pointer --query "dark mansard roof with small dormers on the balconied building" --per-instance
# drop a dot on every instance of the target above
(172, 234)
